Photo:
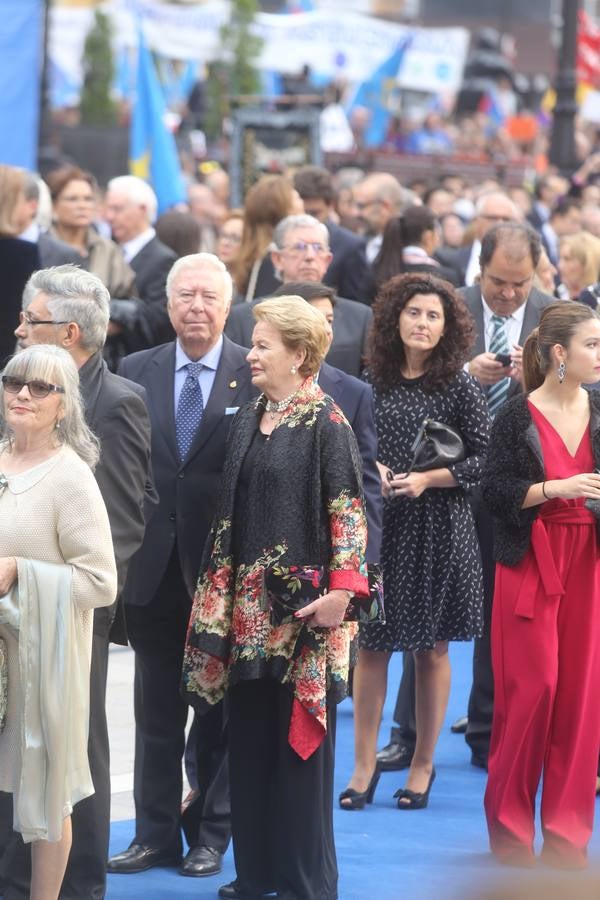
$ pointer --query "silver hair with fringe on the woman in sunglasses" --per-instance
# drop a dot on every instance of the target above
(45, 362)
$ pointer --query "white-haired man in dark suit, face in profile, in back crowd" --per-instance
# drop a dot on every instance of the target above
(130, 209)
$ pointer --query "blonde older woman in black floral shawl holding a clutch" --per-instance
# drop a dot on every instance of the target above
(275, 612)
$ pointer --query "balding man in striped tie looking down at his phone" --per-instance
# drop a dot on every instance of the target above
(506, 309)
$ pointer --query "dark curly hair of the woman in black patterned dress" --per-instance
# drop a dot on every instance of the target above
(386, 350)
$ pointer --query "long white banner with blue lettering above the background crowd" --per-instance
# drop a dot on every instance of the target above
(351, 46)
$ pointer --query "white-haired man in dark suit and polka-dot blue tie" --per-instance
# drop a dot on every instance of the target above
(191, 414)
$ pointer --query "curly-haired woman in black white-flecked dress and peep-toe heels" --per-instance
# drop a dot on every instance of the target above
(422, 333)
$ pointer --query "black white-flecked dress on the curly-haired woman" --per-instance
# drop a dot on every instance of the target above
(430, 553)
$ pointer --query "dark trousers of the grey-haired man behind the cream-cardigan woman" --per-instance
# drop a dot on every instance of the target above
(85, 877)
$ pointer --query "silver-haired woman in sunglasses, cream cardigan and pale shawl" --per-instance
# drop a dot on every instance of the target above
(56, 566)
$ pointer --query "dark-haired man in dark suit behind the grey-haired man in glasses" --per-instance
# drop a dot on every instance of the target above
(348, 271)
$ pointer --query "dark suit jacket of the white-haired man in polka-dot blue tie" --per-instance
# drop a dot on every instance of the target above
(188, 490)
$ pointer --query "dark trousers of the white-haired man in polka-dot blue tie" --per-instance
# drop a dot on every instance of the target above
(157, 634)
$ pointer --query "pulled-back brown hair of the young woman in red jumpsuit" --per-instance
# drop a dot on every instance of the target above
(557, 325)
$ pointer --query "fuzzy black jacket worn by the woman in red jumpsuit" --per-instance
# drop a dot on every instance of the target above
(514, 463)
